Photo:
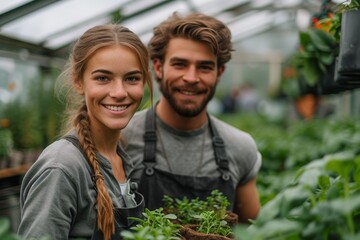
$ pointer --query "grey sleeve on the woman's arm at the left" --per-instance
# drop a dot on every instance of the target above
(48, 202)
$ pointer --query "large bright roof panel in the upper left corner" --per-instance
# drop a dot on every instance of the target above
(58, 17)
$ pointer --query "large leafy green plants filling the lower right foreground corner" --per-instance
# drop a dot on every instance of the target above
(322, 202)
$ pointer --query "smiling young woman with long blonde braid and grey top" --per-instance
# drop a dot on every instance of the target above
(78, 188)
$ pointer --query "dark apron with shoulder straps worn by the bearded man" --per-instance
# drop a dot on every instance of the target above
(154, 183)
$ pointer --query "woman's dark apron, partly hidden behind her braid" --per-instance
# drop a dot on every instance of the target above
(121, 215)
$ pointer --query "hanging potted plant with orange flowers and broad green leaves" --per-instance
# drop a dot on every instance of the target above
(317, 58)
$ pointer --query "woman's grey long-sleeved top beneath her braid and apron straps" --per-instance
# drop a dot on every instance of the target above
(57, 193)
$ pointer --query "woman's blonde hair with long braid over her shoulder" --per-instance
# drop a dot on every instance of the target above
(76, 115)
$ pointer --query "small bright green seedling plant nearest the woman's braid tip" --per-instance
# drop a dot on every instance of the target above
(154, 225)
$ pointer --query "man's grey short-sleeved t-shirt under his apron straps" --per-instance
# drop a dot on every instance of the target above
(185, 153)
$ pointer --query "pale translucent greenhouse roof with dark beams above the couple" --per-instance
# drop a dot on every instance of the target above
(46, 28)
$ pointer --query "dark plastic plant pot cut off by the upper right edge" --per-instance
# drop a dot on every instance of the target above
(349, 55)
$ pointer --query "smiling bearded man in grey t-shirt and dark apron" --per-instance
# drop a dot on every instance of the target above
(177, 147)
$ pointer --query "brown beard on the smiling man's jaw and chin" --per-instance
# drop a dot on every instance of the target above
(181, 107)
